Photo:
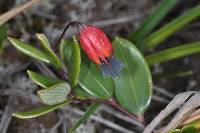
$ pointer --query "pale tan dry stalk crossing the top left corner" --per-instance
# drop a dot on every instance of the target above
(10, 14)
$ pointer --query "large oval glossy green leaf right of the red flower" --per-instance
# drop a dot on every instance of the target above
(133, 87)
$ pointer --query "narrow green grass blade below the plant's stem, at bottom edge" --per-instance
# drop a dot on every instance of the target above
(85, 117)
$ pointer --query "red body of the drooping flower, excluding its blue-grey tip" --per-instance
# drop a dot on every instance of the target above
(95, 43)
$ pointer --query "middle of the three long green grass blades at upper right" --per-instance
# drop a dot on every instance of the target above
(163, 33)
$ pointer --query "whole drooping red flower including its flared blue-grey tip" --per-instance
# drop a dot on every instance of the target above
(99, 49)
